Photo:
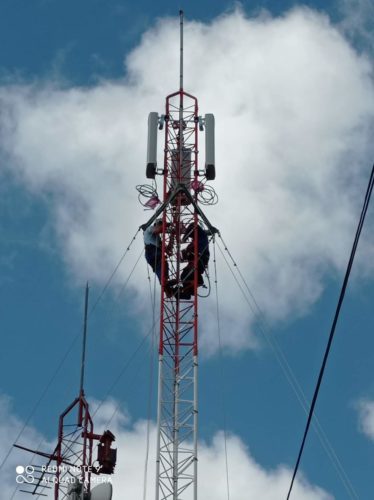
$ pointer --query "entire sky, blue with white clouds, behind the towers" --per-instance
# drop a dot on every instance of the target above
(291, 87)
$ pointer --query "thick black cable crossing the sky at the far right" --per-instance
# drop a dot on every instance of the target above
(334, 323)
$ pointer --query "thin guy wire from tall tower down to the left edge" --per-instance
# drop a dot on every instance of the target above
(66, 355)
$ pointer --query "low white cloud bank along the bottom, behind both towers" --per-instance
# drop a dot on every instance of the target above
(246, 475)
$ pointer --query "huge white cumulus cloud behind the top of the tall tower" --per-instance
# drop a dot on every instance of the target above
(294, 106)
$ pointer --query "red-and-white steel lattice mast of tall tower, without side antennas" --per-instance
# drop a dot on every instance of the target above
(178, 347)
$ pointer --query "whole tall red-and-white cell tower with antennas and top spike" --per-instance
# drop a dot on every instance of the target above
(182, 265)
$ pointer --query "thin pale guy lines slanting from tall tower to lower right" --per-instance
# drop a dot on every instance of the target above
(288, 372)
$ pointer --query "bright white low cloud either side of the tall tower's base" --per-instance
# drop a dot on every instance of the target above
(245, 475)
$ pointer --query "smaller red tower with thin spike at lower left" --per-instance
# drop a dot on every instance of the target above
(71, 466)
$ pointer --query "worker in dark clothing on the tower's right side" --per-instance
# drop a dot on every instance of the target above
(188, 254)
